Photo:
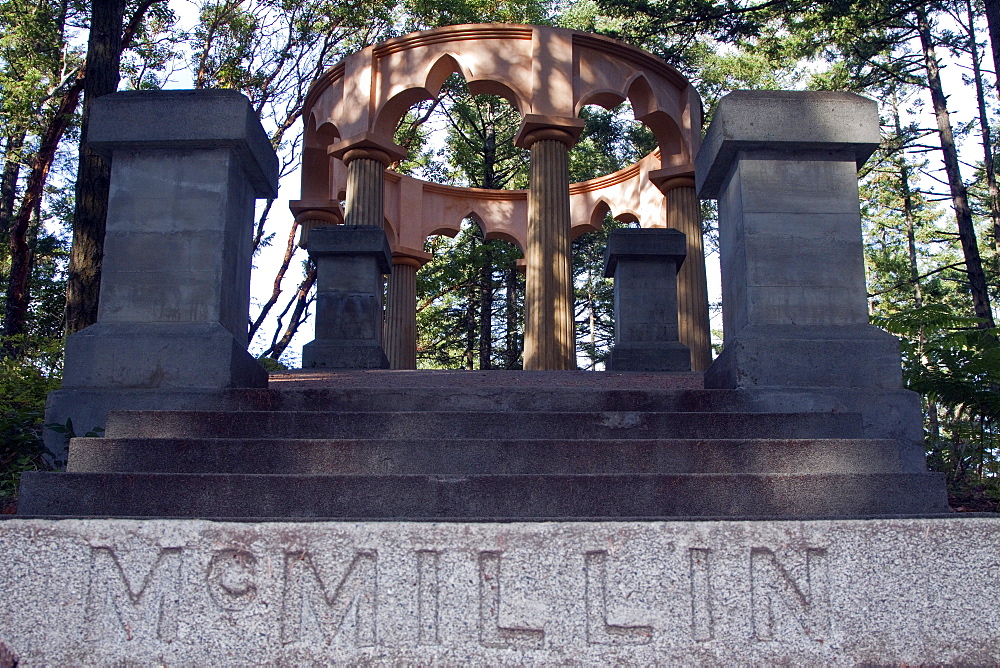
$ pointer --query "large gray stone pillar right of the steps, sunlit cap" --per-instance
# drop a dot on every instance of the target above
(783, 166)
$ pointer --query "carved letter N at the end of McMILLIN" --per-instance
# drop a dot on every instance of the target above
(778, 599)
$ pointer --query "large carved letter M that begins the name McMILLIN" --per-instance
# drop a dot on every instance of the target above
(140, 603)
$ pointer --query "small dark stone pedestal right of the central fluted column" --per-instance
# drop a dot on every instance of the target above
(644, 264)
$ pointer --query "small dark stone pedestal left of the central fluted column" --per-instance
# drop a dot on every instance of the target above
(350, 262)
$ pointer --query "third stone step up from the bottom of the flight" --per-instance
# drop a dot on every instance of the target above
(479, 424)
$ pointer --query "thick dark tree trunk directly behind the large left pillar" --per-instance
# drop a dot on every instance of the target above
(104, 49)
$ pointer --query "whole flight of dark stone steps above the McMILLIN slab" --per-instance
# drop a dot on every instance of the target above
(477, 446)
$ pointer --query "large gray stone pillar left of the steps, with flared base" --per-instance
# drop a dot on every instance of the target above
(186, 167)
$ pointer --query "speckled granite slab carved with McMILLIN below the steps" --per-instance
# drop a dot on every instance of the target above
(173, 593)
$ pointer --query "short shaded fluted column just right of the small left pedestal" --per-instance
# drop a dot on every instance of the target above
(399, 337)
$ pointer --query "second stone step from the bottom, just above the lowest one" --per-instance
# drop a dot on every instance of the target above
(484, 456)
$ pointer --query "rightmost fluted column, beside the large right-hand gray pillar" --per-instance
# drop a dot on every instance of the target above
(684, 214)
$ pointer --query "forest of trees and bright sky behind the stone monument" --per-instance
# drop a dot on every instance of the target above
(930, 203)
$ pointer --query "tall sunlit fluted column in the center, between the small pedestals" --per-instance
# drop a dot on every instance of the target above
(549, 342)
